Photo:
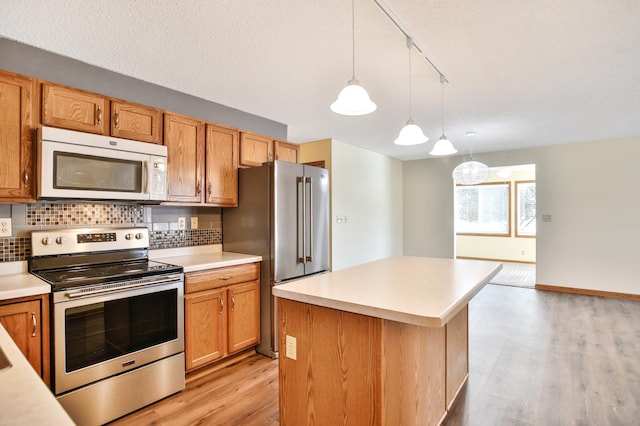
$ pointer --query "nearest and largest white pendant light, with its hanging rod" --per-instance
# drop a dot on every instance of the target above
(353, 99)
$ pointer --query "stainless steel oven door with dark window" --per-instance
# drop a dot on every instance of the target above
(98, 336)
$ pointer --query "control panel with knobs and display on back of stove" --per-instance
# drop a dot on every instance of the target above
(69, 240)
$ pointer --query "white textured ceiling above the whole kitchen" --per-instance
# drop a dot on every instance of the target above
(522, 73)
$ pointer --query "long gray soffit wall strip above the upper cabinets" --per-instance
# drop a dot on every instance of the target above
(23, 59)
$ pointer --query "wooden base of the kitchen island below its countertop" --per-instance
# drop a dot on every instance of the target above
(356, 369)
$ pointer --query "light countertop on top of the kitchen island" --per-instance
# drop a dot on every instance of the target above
(415, 290)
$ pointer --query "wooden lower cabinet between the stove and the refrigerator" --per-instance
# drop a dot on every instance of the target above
(222, 313)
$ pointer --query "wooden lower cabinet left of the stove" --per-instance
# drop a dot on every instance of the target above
(27, 322)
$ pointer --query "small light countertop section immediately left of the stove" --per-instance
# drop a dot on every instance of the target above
(16, 281)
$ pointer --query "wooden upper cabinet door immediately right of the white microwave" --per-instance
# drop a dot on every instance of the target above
(184, 138)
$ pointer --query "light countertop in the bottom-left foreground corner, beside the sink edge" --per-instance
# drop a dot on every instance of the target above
(24, 398)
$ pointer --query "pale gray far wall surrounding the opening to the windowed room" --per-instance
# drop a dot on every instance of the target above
(590, 191)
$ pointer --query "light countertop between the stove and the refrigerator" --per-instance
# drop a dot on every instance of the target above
(201, 257)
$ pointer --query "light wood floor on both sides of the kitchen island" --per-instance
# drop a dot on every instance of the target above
(536, 358)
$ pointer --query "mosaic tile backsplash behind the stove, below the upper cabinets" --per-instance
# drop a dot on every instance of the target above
(31, 217)
